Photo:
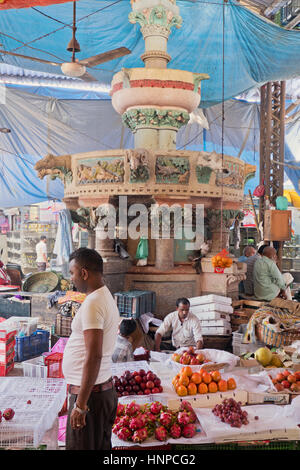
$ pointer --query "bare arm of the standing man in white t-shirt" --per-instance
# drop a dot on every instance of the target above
(93, 339)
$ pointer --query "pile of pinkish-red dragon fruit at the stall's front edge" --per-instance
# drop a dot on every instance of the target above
(136, 423)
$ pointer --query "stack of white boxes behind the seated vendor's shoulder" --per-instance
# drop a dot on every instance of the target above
(214, 313)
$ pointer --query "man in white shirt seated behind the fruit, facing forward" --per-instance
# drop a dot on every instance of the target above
(185, 327)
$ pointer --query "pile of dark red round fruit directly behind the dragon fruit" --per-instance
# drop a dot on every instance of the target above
(137, 383)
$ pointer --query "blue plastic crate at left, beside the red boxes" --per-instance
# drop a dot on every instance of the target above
(30, 346)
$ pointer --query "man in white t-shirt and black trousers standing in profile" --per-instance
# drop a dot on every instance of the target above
(87, 357)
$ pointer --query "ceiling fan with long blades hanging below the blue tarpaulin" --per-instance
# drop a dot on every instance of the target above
(77, 68)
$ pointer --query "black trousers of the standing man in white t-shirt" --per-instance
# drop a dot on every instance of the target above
(96, 434)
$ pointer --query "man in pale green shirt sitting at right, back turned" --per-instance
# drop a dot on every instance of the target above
(268, 281)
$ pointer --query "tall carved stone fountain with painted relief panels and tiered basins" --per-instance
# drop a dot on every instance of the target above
(155, 102)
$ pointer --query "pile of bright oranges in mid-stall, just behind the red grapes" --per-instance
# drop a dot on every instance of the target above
(188, 382)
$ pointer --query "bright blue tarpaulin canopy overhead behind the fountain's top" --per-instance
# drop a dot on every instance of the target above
(255, 50)
